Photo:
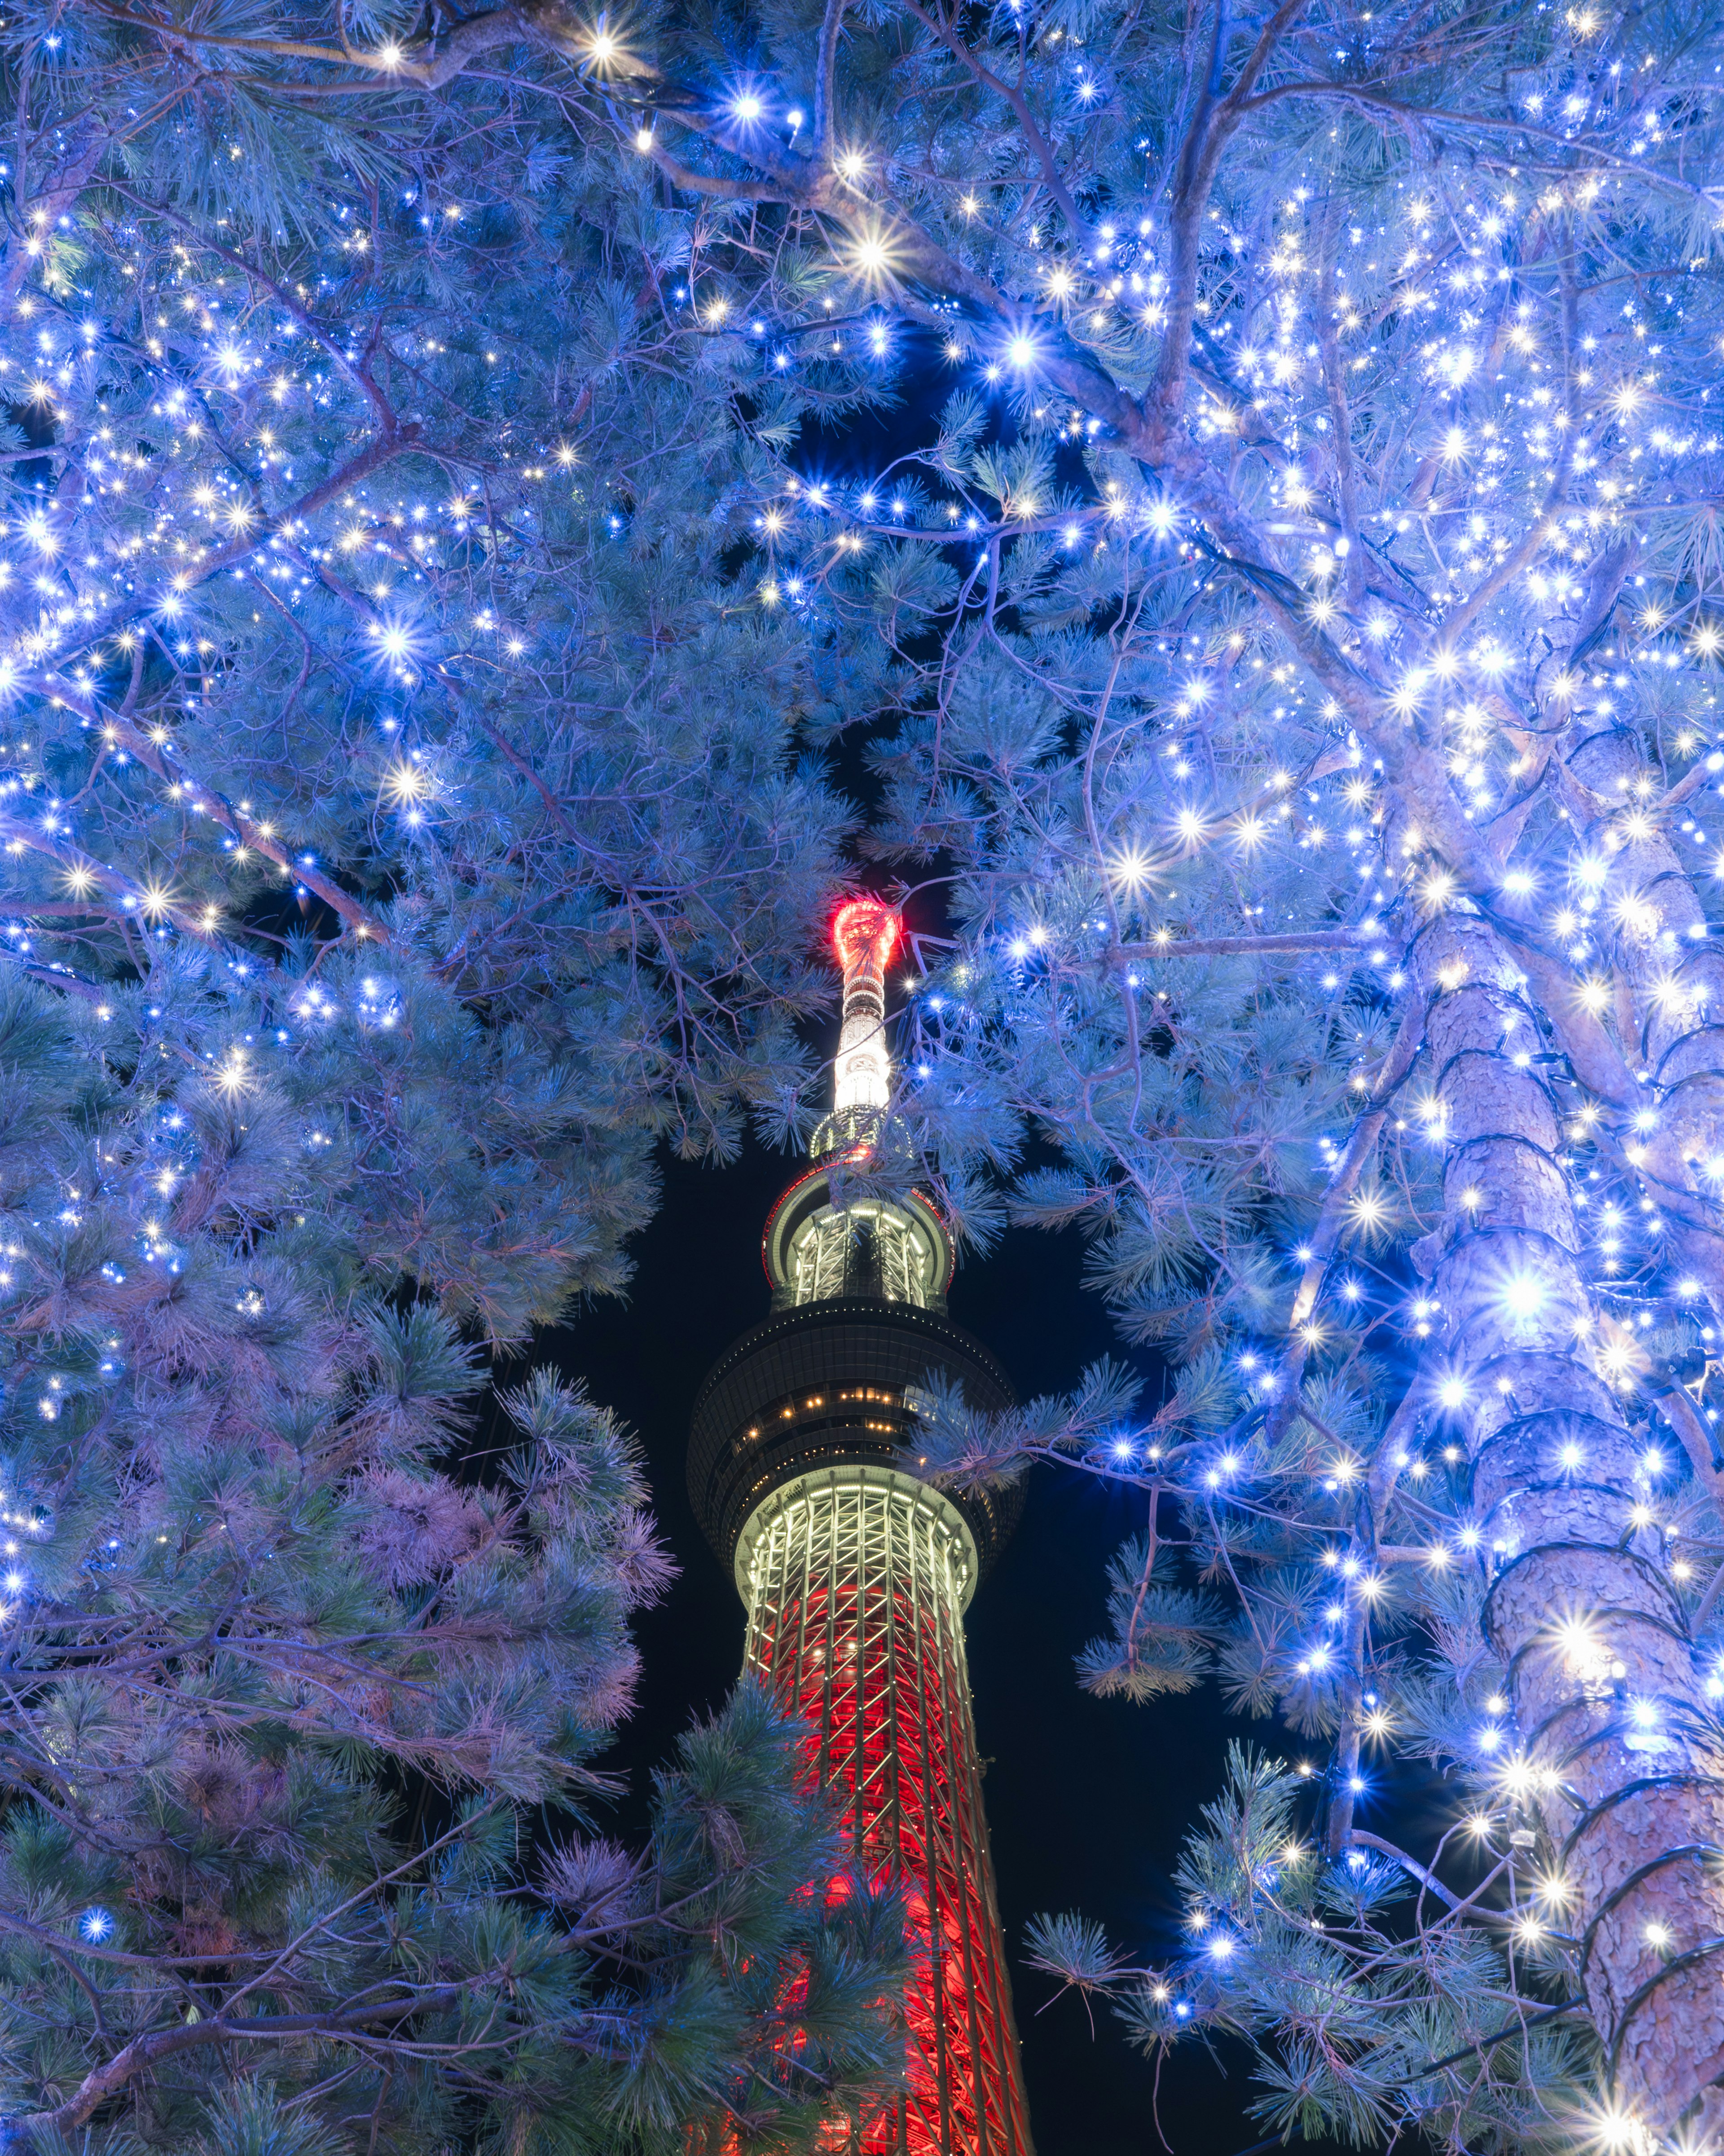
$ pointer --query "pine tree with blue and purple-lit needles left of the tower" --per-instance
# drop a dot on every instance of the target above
(400, 840)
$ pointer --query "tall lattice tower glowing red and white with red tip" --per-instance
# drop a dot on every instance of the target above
(857, 1573)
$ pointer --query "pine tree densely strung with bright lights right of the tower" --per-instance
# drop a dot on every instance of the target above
(1294, 659)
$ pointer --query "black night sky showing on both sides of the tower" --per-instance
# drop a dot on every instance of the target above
(1087, 1799)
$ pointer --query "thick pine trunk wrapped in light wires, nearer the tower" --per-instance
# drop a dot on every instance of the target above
(1581, 1614)
